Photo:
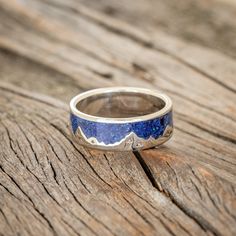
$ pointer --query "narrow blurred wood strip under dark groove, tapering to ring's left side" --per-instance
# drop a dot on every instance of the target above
(34, 76)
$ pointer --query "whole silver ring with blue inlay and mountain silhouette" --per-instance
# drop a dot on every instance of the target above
(121, 118)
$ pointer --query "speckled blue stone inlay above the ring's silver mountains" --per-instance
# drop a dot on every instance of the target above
(110, 133)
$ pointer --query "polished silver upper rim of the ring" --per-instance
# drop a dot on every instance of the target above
(167, 108)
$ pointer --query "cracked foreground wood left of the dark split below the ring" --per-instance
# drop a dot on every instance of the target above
(68, 190)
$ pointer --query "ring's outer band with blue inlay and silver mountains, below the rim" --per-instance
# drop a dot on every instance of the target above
(123, 136)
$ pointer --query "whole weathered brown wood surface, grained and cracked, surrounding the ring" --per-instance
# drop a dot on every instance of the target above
(49, 185)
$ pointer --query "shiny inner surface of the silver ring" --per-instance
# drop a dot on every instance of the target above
(120, 105)
